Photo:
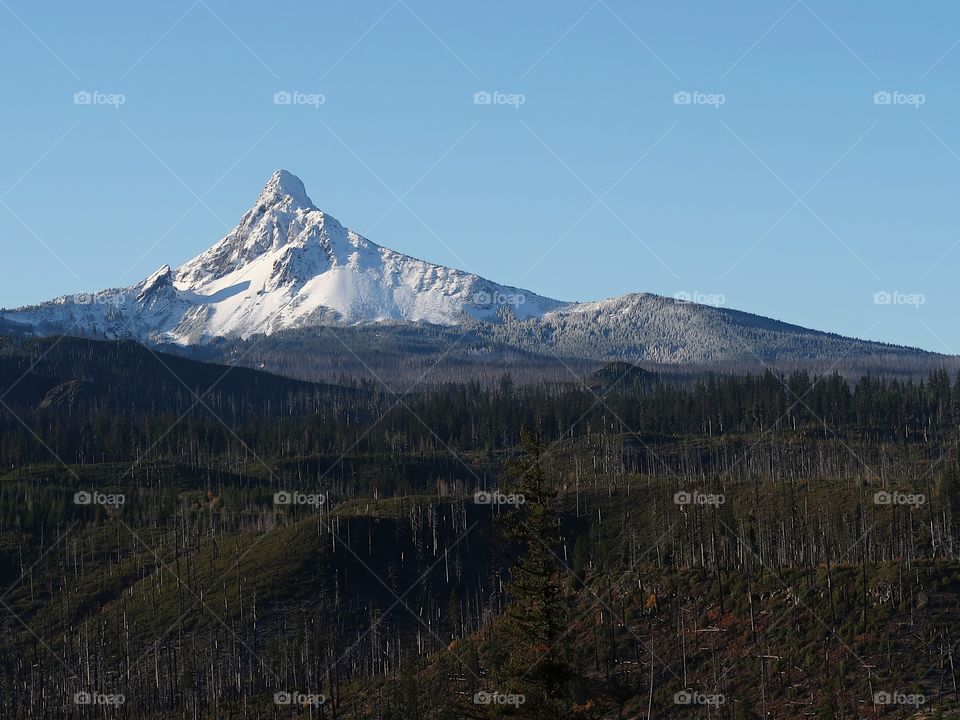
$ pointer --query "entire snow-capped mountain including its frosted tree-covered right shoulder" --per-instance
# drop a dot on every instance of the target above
(289, 266)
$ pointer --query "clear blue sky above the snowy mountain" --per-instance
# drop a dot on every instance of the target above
(799, 197)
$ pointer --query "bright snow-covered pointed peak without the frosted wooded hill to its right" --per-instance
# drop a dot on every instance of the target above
(287, 265)
